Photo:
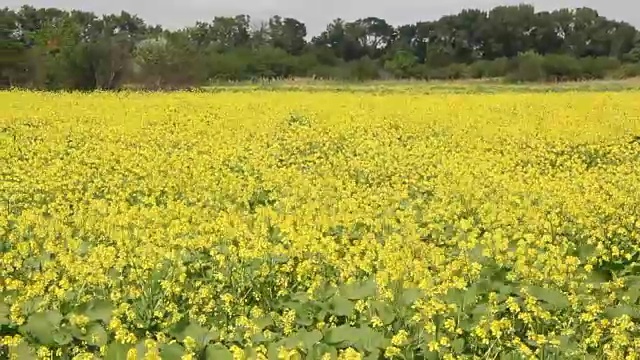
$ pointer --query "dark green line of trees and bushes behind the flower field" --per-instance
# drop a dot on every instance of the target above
(50, 48)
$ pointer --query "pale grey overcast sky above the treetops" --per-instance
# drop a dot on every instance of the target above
(316, 14)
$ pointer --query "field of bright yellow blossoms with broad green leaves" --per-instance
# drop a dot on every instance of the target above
(326, 225)
